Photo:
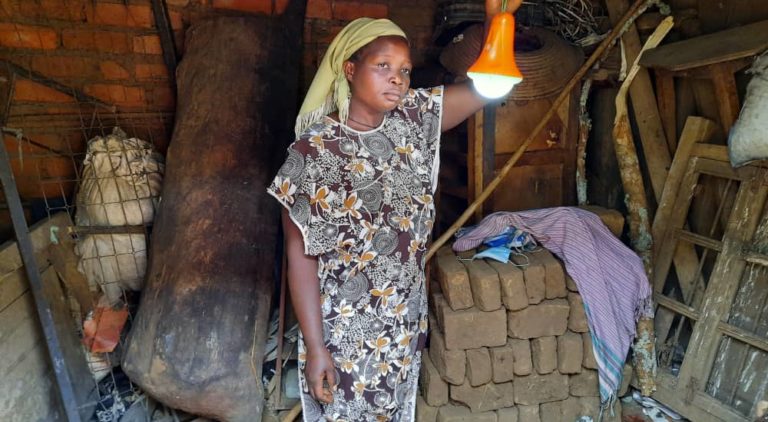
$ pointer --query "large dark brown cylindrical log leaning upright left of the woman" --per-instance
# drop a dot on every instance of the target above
(197, 341)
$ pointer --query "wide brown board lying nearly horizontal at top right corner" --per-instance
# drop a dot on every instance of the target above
(731, 44)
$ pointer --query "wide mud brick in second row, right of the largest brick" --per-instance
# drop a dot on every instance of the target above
(549, 318)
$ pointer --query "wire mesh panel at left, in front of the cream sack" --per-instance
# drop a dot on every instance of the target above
(90, 174)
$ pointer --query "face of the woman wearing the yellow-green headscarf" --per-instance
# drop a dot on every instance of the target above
(381, 75)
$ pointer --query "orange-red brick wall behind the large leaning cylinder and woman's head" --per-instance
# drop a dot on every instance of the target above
(110, 49)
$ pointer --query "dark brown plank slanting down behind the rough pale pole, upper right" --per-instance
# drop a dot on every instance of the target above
(646, 112)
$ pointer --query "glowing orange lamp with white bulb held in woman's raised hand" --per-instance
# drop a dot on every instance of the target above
(495, 72)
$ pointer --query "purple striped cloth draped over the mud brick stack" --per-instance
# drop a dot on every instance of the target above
(609, 275)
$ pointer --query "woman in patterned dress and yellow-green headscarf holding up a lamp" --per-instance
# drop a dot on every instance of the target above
(357, 189)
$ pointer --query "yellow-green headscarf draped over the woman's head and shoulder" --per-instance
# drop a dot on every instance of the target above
(329, 90)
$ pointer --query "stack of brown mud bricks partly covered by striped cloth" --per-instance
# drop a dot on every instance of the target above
(508, 343)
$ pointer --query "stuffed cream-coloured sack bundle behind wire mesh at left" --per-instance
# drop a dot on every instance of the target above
(121, 183)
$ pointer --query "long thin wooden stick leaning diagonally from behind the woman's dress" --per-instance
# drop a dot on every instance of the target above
(637, 8)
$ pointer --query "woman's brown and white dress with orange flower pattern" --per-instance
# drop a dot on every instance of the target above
(364, 204)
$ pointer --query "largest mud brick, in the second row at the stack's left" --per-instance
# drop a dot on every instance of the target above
(473, 328)
